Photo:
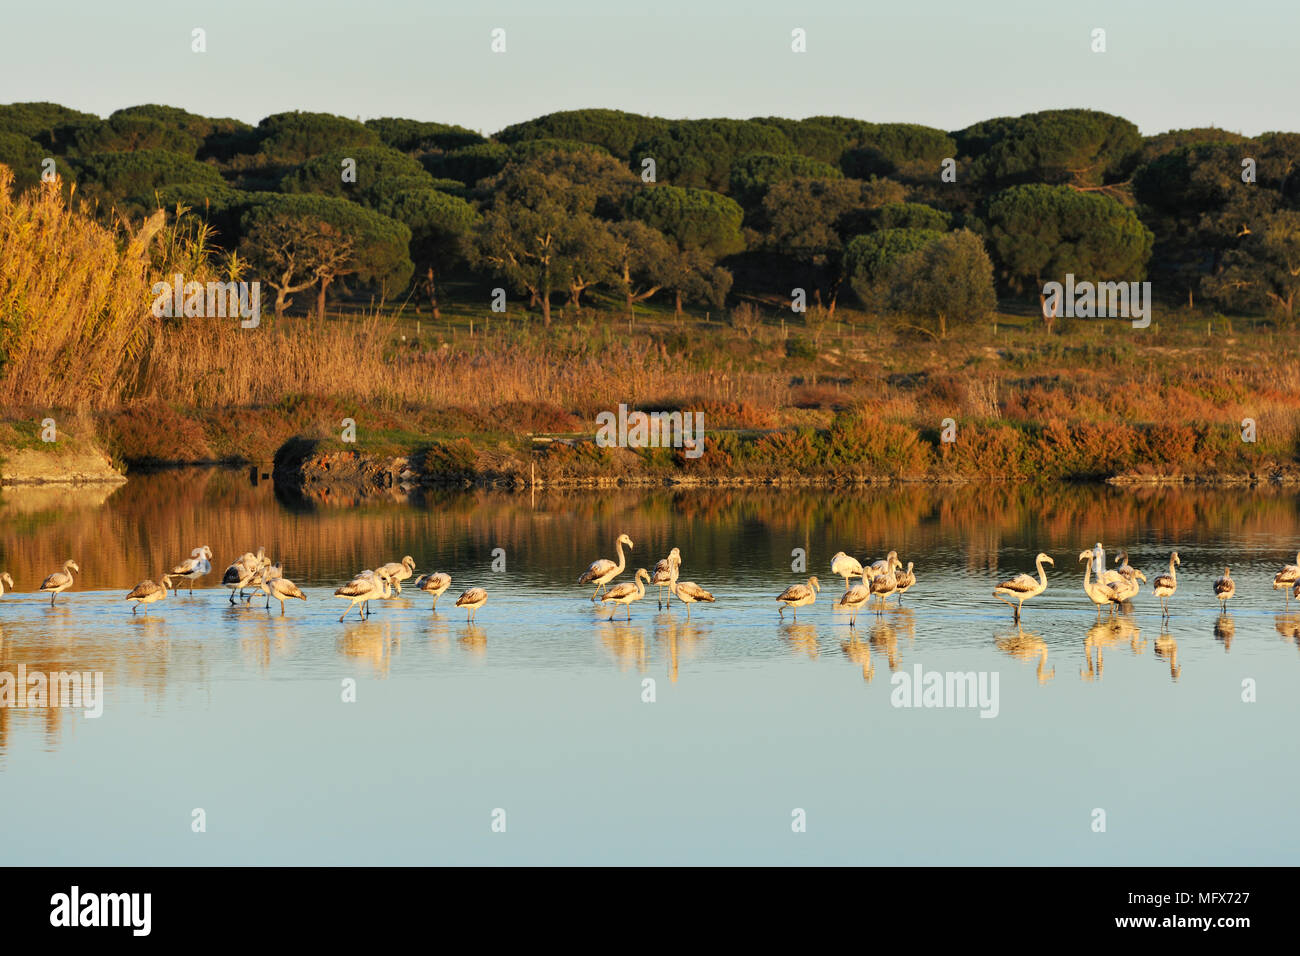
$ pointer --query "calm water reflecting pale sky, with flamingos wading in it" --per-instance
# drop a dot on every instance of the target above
(539, 708)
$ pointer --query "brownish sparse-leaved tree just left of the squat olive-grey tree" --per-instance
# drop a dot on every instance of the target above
(809, 220)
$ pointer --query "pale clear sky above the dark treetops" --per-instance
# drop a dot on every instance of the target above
(943, 63)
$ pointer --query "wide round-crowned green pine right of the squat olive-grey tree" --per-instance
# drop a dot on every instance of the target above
(1039, 232)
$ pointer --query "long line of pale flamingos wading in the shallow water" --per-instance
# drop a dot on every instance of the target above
(252, 574)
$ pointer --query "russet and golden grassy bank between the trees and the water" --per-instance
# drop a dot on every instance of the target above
(852, 397)
